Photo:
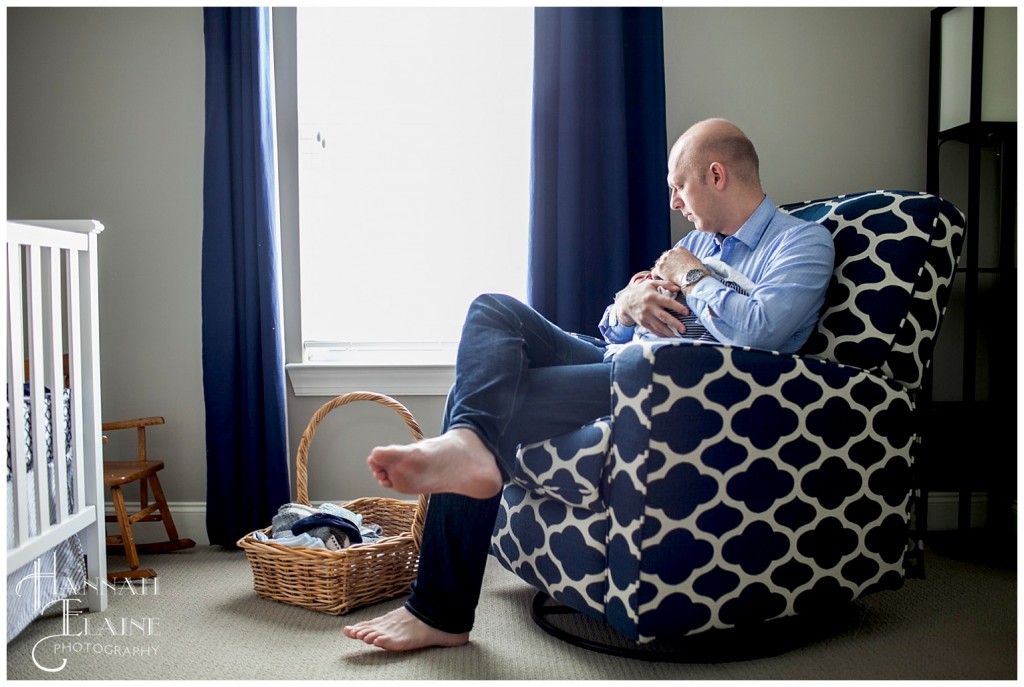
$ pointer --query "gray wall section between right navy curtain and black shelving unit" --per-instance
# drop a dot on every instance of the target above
(835, 100)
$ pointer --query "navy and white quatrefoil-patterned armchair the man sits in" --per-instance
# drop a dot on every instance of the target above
(731, 486)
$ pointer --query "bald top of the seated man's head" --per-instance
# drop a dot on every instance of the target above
(722, 142)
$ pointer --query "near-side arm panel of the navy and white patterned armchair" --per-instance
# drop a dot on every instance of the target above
(737, 473)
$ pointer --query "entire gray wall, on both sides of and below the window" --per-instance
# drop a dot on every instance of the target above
(106, 121)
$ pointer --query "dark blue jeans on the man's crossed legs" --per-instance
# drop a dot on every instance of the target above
(519, 379)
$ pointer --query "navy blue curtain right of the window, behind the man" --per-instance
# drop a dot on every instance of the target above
(600, 205)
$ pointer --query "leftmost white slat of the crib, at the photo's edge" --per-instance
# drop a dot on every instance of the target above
(16, 403)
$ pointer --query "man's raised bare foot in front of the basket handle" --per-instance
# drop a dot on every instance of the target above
(456, 462)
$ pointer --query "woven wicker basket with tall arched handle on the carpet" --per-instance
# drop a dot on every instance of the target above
(337, 582)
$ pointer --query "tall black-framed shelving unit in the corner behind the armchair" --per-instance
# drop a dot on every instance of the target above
(969, 437)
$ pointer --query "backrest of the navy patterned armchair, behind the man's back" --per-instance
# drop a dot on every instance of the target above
(897, 255)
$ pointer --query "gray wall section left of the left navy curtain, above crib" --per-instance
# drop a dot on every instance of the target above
(106, 121)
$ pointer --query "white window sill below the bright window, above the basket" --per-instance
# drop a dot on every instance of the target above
(332, 379)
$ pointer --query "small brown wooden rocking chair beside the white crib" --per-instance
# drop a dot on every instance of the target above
(144, 471)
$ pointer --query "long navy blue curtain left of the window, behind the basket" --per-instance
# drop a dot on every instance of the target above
(243, 357)
